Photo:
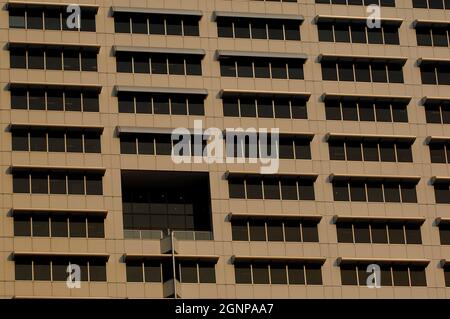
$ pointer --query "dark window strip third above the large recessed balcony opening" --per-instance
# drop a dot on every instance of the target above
(174, 64)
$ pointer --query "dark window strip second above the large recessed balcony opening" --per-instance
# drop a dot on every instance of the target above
(174, 104)
